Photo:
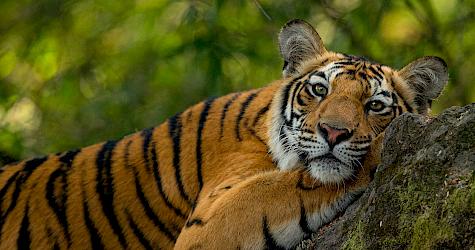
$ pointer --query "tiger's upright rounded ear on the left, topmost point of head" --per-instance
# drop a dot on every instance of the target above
(298, 42)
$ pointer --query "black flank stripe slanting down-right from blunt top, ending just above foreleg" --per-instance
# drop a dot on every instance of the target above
(174, 128)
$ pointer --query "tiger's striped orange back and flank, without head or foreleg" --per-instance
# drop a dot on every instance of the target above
(139, 190)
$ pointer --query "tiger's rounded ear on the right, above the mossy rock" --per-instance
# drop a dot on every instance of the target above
(427, 77)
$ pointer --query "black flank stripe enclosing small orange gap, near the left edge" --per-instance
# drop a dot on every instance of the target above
(58, 204)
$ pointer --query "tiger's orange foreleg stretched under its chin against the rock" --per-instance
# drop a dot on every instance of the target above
(270, 210)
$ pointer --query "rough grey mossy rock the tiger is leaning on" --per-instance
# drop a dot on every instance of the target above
(423, 193)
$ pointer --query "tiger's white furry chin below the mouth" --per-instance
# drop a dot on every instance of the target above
(329, 170)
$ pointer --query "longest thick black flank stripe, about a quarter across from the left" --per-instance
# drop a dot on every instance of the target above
(105, 188)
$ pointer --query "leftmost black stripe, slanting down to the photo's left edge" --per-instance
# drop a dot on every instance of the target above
(20, 179)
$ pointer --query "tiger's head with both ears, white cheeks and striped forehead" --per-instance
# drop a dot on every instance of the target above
(332, 108)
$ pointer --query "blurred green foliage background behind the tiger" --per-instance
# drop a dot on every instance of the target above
(73, 73)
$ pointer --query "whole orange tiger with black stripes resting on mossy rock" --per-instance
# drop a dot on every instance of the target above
(258, 169)
